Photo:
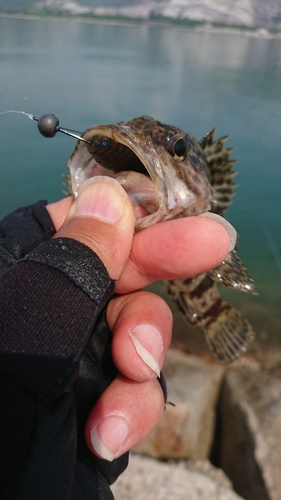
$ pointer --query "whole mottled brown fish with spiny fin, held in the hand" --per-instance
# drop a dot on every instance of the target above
(169, 174)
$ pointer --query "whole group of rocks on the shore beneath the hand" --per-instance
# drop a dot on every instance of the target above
(221, 440)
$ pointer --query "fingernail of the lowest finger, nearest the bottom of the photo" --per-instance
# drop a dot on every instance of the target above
(108, 436)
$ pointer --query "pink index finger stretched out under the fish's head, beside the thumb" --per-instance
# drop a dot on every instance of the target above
(173, 249)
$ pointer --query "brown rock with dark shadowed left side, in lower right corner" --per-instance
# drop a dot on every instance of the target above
(251, 433)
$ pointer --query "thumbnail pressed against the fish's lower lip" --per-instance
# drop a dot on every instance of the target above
(102, 198)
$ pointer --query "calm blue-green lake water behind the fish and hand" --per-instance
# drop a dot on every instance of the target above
(101, 73)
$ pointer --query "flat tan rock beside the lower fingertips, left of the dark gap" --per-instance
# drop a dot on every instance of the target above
(186, 430)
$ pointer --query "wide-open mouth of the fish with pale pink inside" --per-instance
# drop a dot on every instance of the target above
(114, 154)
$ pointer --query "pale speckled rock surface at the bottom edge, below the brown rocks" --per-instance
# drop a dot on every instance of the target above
(148, 479)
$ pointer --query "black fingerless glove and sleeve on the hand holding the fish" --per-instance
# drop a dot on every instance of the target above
(55, 362)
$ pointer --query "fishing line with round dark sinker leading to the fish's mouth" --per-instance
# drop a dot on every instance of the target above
(48, 125)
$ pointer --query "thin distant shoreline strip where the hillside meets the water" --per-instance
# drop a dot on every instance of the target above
(200, 28)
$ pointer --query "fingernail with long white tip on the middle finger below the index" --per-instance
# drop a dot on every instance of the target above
(148, 343)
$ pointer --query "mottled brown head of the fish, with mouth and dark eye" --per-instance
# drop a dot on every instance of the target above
(162, 168)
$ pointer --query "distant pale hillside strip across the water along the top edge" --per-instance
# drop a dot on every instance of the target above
(248, 13)
